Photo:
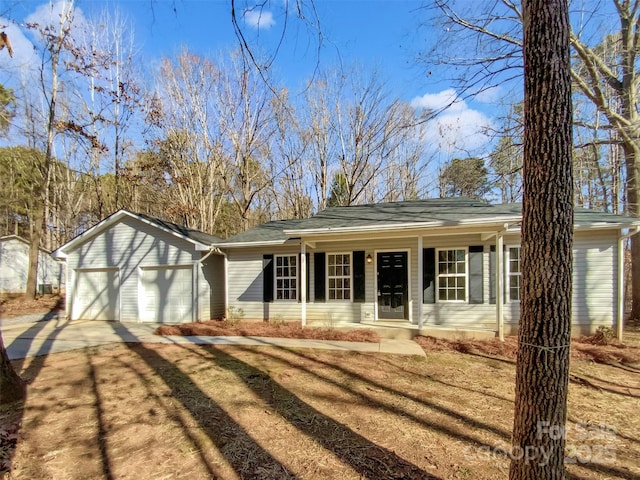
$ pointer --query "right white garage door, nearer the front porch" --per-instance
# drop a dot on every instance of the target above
(167, 294)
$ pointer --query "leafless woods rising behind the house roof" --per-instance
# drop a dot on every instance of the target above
(210, 144)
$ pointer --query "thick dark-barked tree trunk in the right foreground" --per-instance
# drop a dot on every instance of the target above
(546, 249)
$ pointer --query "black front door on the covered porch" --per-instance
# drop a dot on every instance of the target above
(393, 298)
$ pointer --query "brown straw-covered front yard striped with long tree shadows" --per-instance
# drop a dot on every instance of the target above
(199, 412)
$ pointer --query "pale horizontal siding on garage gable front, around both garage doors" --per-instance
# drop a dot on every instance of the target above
(128, 245)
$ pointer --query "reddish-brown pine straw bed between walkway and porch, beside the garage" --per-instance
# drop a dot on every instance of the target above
(267, 329)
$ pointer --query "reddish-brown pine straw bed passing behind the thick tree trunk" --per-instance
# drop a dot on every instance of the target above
(585, 348)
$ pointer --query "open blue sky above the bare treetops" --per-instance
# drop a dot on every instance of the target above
(380, 34)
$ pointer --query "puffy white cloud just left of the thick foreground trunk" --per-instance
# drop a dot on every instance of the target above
(457, 127)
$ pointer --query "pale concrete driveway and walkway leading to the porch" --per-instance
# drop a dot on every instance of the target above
(24, 338)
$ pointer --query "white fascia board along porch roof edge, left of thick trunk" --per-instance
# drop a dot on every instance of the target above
(407, 226)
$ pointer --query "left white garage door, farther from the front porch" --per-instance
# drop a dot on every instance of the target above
(96, 295)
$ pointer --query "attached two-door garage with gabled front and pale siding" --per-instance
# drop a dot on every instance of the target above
(134, 268)
